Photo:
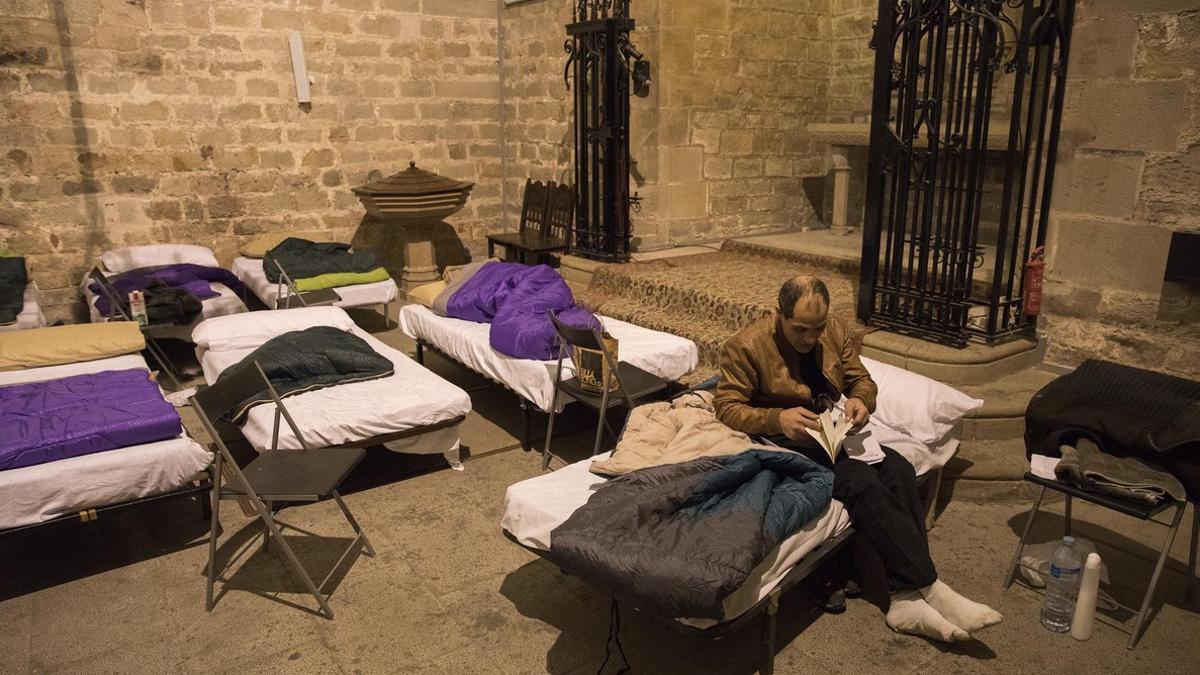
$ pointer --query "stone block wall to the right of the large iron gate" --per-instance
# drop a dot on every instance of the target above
(1129, 176)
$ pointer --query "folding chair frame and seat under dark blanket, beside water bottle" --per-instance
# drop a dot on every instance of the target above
(1136, 510)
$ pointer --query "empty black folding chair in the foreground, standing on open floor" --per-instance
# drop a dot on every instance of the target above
(309, 475)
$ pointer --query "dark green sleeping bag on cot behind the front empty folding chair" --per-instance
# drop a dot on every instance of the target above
(314, 359)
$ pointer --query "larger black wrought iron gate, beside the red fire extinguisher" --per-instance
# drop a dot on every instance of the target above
(968, 99)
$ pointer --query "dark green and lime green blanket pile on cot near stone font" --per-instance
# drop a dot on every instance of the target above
(315, 266)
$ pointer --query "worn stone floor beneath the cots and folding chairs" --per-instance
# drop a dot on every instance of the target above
(448, 594)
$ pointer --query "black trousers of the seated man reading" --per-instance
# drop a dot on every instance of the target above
(884, 506)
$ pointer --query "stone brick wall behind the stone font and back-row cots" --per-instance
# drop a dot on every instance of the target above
(130, 122)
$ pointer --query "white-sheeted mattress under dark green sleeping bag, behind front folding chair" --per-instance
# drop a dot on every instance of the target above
(412, 397)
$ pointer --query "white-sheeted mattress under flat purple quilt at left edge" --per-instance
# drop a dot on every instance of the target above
(34, 494)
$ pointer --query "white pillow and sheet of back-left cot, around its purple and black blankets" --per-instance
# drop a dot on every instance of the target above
(227, 302)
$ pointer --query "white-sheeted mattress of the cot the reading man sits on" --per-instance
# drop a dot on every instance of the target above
(535, 507)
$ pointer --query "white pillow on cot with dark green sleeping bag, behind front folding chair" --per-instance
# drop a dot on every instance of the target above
(249, 331)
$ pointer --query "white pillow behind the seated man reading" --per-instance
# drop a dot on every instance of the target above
(916, 405)
